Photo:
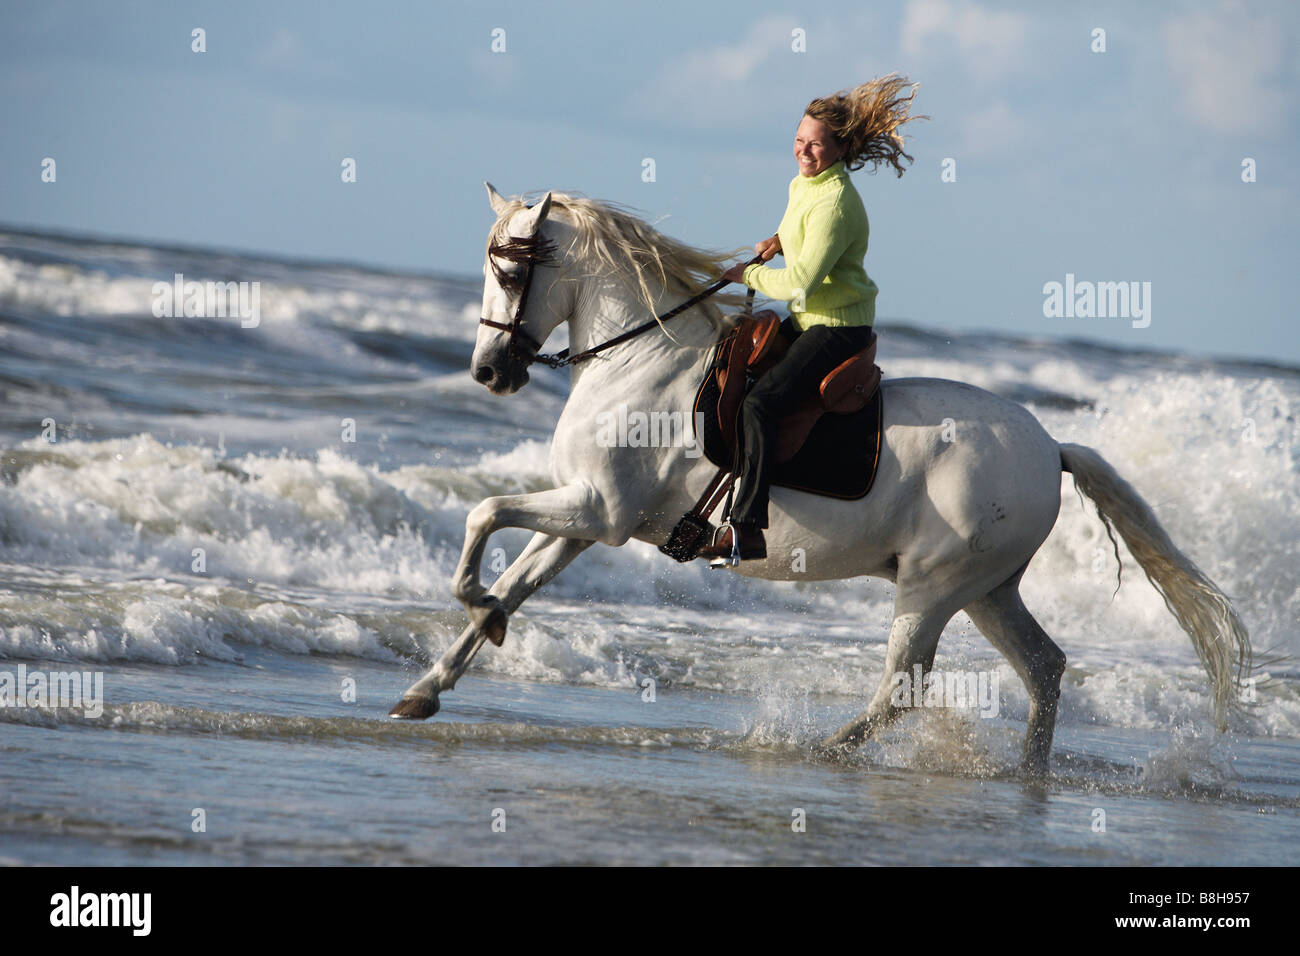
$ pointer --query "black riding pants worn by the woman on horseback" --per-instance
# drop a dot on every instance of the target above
(813, 354)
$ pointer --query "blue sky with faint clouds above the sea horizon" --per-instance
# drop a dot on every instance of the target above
(1112, 157)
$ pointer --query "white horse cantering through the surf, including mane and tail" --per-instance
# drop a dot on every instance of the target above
(954, 524)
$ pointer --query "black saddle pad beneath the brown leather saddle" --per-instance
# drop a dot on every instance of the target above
(839, 460)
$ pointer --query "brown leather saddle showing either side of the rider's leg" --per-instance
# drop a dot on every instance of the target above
(753, 349)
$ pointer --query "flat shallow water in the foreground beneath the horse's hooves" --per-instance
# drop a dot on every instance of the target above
(287, 773)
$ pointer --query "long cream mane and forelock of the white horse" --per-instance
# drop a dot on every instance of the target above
(616, 237)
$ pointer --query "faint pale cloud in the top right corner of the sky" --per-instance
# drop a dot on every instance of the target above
(1227, 64)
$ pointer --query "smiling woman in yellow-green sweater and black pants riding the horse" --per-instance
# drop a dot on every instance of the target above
(824, 237)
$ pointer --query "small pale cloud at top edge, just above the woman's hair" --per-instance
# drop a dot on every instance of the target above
(987, 45)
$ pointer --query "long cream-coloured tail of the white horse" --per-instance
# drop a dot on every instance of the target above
(1201, 608)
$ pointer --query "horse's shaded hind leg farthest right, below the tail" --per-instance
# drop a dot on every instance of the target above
(1004, 620)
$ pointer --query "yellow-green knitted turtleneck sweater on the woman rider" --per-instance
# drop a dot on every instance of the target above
(825, 241)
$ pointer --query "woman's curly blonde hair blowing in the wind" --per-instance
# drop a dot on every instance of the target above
(866, 122)
